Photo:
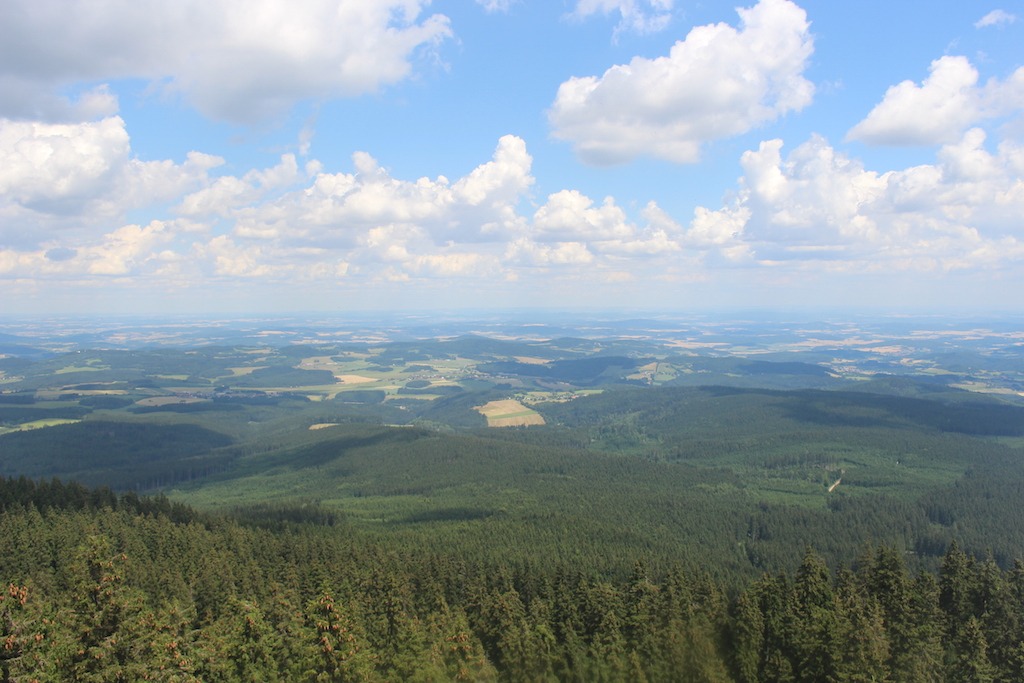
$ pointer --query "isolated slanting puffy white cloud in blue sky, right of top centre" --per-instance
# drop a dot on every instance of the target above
(717, 83)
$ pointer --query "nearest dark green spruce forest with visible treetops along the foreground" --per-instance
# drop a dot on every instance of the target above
(100, 587)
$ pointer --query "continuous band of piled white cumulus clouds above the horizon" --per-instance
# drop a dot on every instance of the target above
(68, 191)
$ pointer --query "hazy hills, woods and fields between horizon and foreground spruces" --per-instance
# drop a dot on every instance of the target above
(234, 413)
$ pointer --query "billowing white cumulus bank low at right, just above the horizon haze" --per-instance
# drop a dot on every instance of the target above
(819, 205)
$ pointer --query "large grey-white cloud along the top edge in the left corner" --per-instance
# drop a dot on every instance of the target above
(241, 62)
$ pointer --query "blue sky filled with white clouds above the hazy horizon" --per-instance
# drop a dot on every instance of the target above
(216, 157)
